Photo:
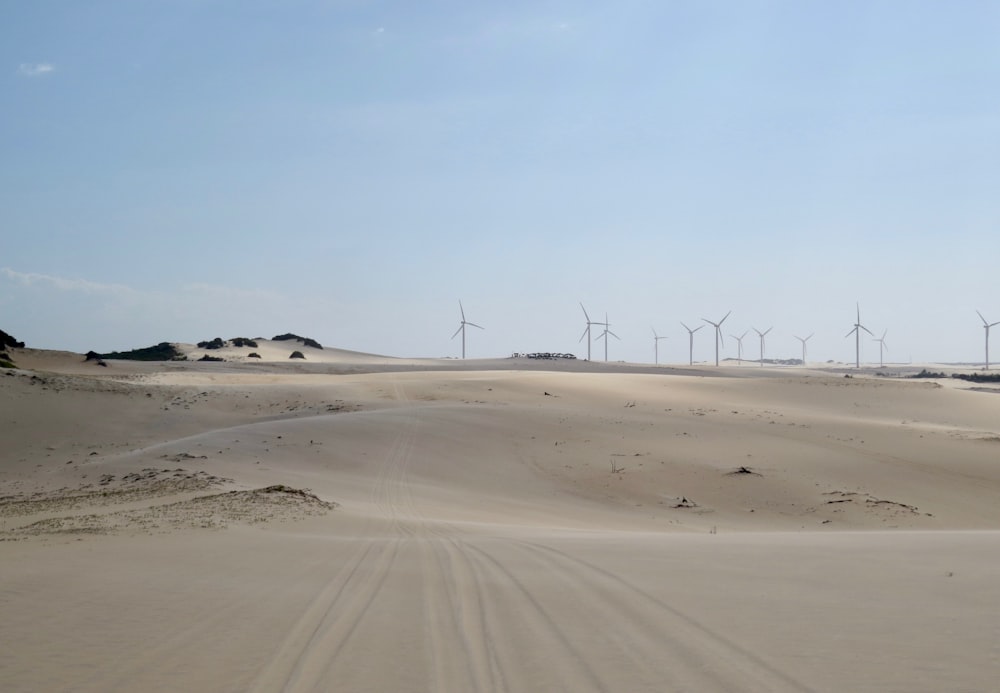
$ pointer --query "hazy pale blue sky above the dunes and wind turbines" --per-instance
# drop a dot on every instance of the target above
(349, 170)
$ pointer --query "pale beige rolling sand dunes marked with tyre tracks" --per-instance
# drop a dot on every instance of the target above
(370, 524)
